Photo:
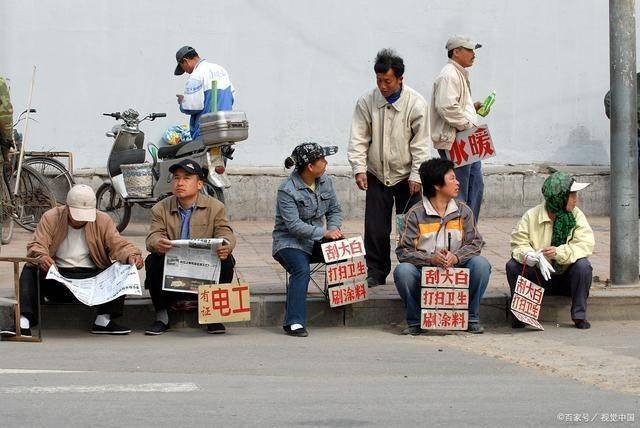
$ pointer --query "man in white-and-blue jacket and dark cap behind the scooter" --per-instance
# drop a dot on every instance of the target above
(196, 99)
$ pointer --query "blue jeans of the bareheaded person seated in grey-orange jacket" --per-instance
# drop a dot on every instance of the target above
(407, 279)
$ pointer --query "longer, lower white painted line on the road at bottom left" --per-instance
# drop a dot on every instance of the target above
(83, 389)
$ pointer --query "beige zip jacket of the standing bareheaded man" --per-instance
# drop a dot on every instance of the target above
(390, 140)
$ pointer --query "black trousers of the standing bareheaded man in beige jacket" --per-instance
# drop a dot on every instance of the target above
(378, 215)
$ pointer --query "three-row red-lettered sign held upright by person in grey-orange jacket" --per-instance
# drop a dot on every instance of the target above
(444, 298)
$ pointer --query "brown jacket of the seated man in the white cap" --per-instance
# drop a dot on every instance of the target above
(104, 242)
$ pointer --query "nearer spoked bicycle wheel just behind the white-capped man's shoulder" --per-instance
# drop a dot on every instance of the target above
(33, 198)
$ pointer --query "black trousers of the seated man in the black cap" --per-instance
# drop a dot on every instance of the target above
(154, 266)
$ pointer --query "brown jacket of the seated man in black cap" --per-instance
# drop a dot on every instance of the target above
(208, 220)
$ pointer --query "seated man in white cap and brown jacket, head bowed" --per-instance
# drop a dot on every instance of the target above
(81, 242)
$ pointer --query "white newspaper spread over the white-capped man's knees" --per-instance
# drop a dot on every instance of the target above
(115, 281)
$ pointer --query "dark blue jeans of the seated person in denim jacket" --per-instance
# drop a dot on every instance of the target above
(296, 263)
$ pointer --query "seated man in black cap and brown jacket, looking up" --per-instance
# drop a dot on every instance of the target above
(188, 214)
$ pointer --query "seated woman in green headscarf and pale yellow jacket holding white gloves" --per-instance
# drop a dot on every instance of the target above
(555, 239)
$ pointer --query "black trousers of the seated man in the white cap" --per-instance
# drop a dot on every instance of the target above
(54, 292)
